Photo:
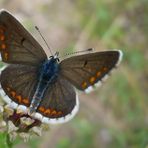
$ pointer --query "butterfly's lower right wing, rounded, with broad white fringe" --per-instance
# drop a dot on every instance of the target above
(60, 102)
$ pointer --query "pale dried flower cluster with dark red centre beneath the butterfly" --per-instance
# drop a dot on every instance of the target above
(17, 123)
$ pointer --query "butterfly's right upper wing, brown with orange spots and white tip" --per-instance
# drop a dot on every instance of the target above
(86, 70)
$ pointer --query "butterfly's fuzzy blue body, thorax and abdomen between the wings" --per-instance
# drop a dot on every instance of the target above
(48, 73)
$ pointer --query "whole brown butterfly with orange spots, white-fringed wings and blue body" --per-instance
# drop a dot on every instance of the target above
(44, 87)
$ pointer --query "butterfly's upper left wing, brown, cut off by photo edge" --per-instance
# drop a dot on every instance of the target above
(17, 45)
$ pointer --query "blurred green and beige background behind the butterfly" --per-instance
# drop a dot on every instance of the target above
(116, 114)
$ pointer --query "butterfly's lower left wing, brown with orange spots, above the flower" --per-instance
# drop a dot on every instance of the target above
(18, 83)
